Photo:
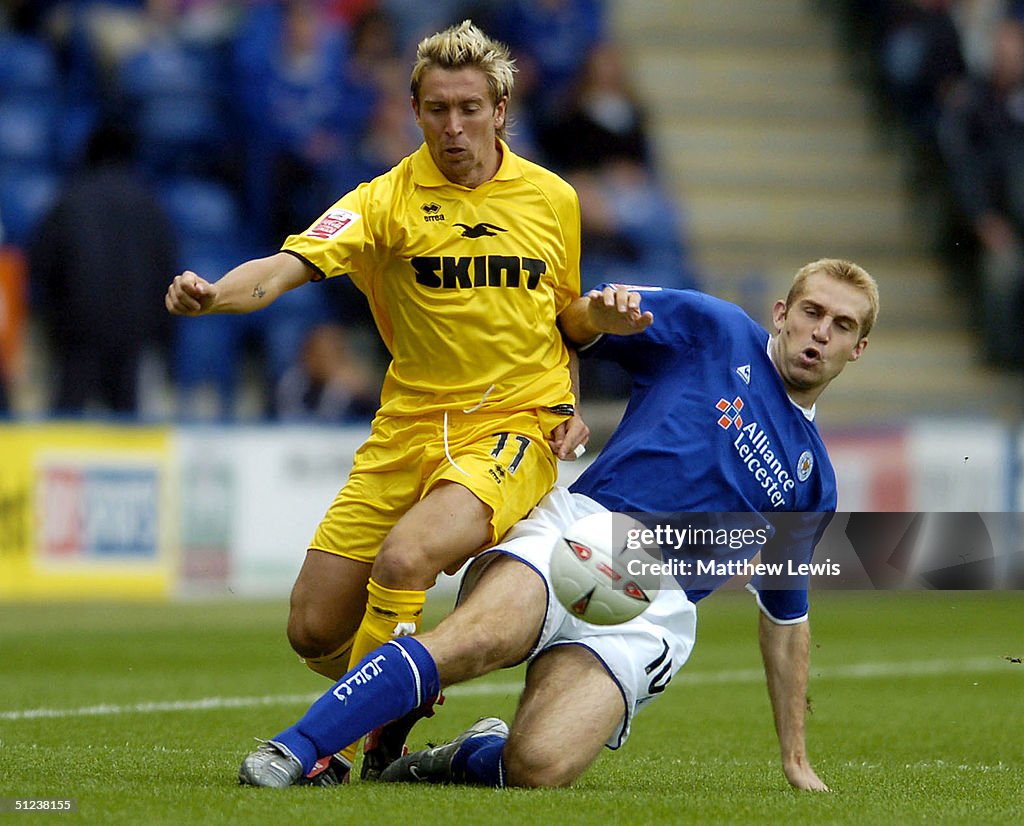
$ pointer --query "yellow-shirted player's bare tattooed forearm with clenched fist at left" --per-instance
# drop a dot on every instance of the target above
(248, 287)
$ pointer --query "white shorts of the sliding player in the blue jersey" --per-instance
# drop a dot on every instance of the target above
(642, 656)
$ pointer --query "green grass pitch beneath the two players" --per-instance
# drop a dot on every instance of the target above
(918, 717)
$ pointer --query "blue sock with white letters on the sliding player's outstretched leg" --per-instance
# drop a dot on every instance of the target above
(388, 684)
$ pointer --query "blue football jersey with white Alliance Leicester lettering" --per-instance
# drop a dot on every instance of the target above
(709, 428)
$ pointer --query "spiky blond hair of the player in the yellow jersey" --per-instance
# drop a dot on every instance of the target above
(461, 47)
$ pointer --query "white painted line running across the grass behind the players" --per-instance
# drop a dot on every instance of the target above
(862, 671)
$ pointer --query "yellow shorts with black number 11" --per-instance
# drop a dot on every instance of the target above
(503, 459)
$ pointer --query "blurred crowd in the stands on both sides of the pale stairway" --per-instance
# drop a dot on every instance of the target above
(142, 138)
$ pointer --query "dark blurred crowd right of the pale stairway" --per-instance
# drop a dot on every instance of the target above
(949, 80)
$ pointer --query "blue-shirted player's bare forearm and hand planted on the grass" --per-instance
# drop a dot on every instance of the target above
(786, 650)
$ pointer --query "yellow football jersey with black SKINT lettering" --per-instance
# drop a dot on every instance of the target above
(464, 285)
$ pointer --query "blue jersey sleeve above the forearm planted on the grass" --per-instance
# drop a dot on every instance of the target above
(782, 596)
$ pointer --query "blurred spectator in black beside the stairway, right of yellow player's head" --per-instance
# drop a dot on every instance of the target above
(604, 119)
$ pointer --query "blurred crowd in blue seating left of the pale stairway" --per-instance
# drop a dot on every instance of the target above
(141, 138)
